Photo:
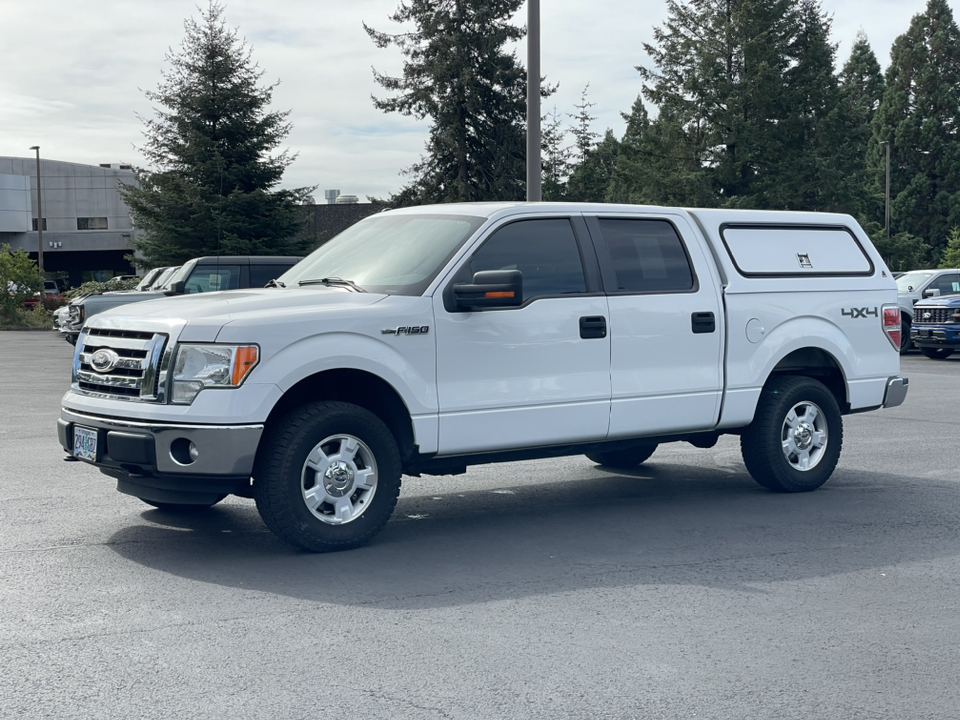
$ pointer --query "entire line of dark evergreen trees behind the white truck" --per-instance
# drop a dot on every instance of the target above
(743, 105)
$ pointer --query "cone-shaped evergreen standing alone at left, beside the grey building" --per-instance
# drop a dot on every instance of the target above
(209, 189)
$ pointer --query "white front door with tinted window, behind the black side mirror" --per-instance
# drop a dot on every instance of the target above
(533, 375)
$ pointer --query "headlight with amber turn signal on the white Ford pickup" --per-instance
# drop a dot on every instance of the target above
(201, 366)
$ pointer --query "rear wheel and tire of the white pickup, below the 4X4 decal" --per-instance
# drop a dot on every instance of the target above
(794, 441)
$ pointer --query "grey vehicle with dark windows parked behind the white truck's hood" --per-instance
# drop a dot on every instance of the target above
(200, 275)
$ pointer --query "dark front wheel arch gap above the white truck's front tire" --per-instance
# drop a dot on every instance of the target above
(358, 387)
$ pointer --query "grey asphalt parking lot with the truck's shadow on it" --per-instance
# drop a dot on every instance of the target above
(548, 589)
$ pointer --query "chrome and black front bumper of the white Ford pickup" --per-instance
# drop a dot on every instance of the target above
(155, 455)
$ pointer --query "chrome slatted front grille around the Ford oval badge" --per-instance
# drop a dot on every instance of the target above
(138, 373)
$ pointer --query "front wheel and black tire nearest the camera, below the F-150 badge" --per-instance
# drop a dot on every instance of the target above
(327, 476)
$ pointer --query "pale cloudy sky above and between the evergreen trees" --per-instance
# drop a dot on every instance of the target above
(74, 72)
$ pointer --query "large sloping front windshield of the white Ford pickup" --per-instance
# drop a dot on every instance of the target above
(394, 254)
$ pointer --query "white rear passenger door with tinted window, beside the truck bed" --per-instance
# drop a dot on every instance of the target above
(666, 325)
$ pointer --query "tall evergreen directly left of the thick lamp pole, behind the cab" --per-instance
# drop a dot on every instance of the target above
(457, 74)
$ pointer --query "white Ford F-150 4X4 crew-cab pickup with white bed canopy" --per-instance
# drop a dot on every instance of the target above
(428, 339)
